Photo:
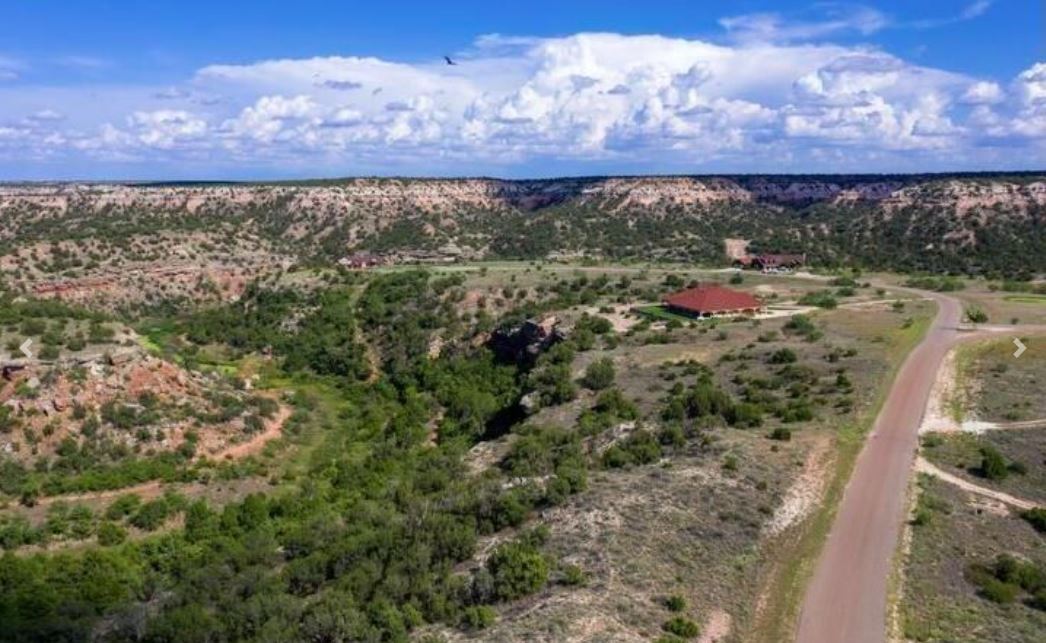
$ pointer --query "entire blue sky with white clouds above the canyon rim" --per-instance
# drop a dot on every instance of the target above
(195, 90)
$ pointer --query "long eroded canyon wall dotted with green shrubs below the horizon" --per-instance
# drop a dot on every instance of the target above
(135, 243)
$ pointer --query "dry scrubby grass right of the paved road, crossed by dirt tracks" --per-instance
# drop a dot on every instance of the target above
(954, 531)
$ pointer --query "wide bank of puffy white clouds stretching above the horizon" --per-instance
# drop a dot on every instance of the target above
(621, 101)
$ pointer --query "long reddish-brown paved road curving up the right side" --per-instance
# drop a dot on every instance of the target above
(846, 602)
